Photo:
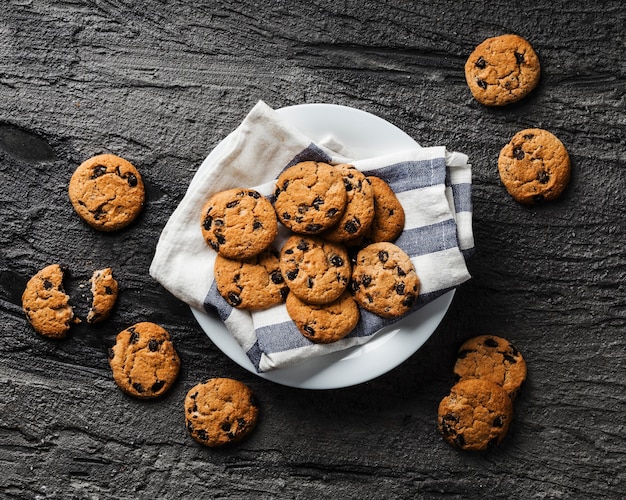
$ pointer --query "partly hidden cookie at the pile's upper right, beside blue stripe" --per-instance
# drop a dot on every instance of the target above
(389, 216)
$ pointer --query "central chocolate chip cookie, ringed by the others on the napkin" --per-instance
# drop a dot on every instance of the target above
(315, 270)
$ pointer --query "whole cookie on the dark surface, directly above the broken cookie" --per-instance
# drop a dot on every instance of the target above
(107, 192)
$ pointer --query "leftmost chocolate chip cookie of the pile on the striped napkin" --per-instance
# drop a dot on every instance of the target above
(238, 223)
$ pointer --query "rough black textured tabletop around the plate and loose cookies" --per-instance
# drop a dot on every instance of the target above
(161, 83)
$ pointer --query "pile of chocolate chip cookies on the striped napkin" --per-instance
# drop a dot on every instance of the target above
(338, 256)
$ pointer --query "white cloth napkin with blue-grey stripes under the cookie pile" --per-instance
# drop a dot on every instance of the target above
(433, 185)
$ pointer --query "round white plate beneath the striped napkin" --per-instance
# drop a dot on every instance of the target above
(364, 135)
